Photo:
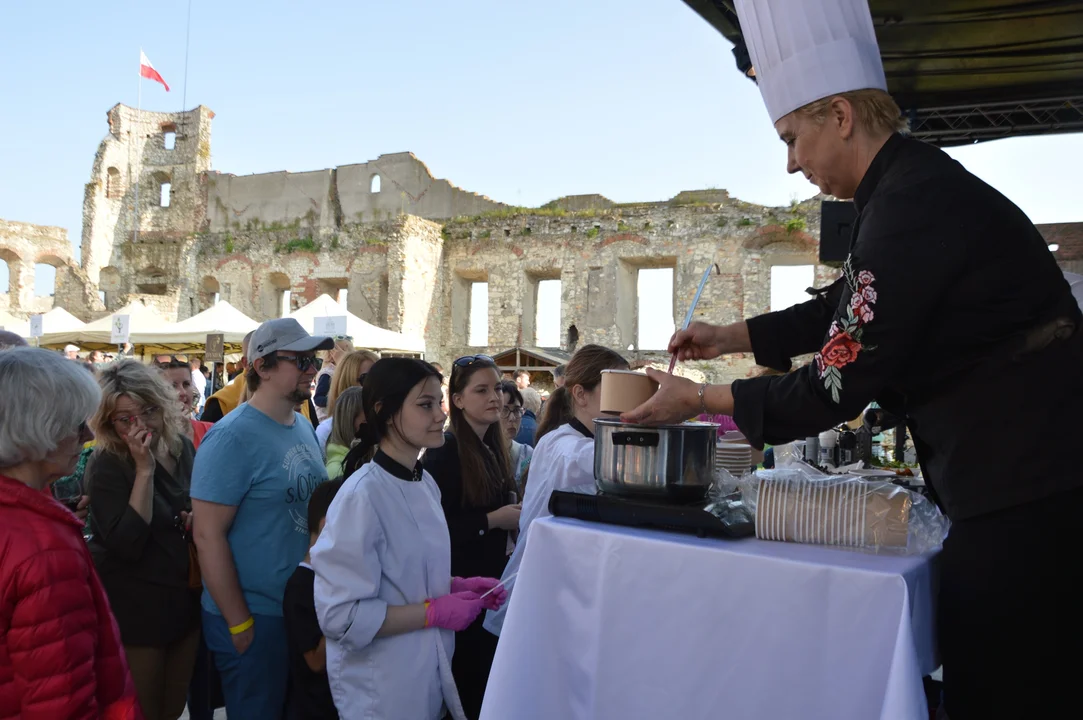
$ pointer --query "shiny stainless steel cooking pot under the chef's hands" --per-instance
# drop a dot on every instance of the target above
(672, 463)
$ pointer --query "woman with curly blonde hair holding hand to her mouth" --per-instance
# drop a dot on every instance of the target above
(139, 478)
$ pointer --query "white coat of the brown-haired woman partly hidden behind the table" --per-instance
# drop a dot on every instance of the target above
(565, 459)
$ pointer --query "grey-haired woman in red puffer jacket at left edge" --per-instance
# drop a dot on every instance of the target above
(60, 648)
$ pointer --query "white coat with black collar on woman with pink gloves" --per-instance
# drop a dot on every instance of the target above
(386, 544)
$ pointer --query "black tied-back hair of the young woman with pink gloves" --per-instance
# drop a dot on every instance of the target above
(387, 385)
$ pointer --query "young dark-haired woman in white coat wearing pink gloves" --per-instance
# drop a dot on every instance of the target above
(384, 592)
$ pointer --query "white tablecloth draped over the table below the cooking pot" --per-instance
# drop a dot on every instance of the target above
(610, 622)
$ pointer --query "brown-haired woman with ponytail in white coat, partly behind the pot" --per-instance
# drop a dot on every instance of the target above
(565, 455)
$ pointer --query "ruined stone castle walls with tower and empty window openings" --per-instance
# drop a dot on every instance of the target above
(406, 246)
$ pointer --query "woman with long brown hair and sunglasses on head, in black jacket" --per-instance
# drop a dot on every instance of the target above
(478, 494)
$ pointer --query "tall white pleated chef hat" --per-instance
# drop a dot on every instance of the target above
(806, 50)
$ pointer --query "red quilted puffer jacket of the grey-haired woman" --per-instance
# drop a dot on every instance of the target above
(61, 657)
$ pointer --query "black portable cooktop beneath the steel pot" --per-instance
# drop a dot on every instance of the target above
(727, 517)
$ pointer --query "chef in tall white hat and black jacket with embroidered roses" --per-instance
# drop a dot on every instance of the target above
(950, 312)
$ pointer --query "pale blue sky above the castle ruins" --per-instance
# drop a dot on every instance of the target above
(521, 101)
